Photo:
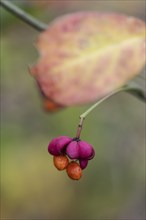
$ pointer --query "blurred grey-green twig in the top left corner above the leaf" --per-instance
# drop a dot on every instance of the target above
(40, 26)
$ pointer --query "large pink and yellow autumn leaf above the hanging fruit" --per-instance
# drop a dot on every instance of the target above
(84, 56)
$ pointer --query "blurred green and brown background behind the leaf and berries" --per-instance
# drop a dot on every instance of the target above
(113, 185)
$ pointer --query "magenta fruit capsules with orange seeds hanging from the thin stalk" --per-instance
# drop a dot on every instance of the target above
(71, 154)
